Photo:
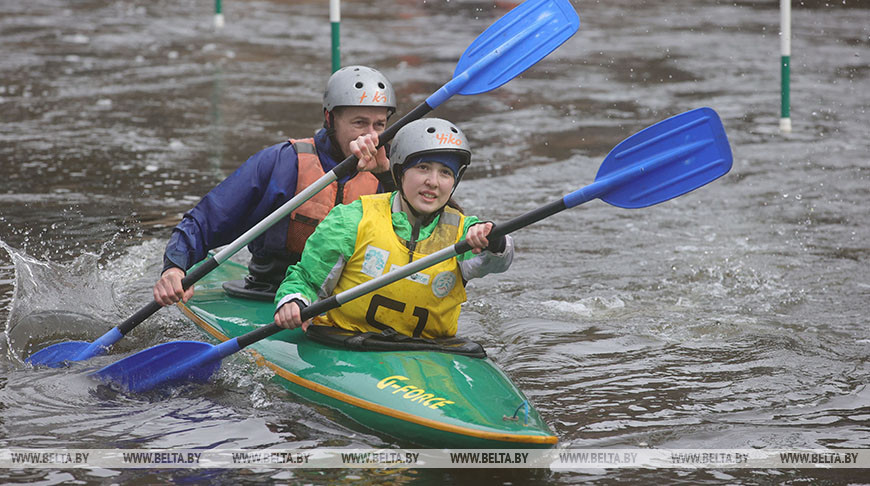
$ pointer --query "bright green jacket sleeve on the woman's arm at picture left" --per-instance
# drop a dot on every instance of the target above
(331, 244)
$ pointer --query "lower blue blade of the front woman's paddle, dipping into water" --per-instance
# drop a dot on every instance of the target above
(161, 365)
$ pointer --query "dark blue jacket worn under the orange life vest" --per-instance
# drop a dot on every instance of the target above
(260, 186)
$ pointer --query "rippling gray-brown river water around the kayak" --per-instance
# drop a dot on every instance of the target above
(735, 315)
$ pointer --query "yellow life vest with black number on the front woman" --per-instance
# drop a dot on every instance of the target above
(425, 304)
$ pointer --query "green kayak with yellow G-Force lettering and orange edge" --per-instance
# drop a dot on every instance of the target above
(428, 398)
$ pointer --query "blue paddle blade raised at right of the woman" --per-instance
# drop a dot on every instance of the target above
(666, 160)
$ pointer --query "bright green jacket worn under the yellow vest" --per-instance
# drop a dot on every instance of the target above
(333, 242)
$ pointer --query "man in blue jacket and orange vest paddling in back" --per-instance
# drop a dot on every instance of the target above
(356, 104)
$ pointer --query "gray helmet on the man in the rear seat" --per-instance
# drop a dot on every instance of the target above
(359, 86)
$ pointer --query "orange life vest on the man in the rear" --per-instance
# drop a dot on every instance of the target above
(306, 217)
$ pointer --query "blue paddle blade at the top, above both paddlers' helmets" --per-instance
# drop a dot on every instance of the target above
(515, 42)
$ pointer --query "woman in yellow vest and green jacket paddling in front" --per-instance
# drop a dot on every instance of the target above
(367, 238)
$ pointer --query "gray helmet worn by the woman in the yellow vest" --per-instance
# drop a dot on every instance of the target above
(428, 136)
